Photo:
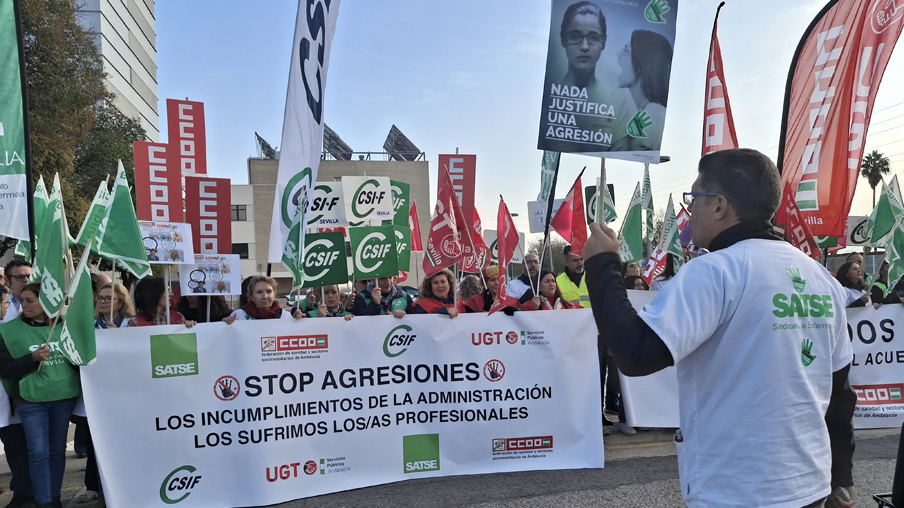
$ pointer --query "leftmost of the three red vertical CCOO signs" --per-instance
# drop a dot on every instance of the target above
(158, 189)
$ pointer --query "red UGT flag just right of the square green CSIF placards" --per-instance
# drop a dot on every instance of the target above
(444, 248)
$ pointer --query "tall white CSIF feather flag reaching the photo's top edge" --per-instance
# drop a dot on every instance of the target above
(302, 136)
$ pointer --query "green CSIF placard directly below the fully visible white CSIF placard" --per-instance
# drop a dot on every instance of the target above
(374, 252)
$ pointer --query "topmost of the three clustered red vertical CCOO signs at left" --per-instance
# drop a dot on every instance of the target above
(187, 136)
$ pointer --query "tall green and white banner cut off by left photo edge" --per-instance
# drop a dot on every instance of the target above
(13, 186)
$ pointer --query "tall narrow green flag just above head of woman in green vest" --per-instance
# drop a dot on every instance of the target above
(50, 254)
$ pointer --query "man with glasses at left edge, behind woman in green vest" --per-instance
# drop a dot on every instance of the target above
(12, 434)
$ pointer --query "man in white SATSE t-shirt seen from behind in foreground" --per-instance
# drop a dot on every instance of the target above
(757, 332)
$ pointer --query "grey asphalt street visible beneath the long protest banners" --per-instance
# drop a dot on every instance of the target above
(641, 471)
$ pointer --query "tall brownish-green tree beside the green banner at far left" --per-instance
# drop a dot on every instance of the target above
(65, 80)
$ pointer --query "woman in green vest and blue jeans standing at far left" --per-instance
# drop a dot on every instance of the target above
(44, 399)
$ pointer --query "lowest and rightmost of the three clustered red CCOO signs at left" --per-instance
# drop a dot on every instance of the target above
(208, 208)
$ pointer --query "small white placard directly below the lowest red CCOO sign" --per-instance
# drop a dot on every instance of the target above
(218, 274)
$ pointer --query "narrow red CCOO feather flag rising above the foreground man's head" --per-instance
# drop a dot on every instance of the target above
(718, 124)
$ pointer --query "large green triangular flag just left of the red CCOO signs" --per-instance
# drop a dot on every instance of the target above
(118, 236)
